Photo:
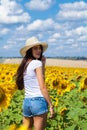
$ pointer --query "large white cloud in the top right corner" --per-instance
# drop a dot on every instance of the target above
(73, 11)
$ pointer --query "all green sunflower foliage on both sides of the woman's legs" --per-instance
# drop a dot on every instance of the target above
(70, 114)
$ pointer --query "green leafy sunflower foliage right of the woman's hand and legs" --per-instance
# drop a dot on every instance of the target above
(71, 113)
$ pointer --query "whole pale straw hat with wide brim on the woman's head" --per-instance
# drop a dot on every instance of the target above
(31, 42)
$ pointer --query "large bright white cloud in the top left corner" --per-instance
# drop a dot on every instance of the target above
(12, 12)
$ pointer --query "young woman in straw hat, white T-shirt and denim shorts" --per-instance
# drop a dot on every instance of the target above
(30, 77)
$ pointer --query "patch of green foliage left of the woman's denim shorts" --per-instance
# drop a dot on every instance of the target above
(12, 115)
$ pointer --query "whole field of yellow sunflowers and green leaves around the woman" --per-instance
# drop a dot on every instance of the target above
(68, 91)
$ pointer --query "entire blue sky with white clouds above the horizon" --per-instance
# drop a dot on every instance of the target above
(60, 23)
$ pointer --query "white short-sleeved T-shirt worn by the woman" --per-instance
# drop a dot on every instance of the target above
(31, 85)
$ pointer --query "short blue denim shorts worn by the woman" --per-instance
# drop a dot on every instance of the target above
(34, 106)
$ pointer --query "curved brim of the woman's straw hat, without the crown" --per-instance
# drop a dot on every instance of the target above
(24, 49)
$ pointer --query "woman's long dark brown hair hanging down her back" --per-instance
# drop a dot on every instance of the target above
(22, 67)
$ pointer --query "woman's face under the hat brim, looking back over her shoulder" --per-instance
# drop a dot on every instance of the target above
(36, 51)
